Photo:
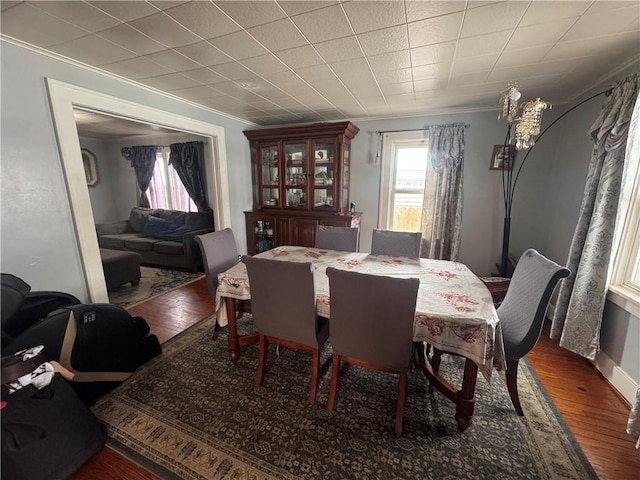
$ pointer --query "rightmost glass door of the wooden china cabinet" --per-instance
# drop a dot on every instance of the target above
(324, 169)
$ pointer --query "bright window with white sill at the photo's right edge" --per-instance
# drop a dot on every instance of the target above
(624, 289)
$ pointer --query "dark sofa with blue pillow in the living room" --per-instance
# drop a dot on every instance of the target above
(164, 238)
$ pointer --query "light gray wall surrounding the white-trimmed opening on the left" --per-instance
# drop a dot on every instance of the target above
(38, 241)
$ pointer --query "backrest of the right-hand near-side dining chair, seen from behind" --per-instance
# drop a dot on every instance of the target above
(372, 317)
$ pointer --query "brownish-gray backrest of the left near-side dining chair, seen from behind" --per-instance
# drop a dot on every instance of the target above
(283, 299)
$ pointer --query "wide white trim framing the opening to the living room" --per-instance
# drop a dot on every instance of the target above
(63, 98)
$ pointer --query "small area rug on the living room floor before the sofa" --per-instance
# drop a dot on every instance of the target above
(154, 281)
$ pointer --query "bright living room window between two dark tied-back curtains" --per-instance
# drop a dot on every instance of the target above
(166, 189)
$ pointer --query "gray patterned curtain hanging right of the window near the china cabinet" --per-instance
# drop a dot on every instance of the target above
(441, 219)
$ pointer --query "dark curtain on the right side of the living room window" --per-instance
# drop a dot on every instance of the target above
(185, 158)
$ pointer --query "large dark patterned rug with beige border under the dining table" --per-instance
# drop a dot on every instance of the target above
(192, 414)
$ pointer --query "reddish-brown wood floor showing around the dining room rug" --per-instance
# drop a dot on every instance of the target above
(596, 414)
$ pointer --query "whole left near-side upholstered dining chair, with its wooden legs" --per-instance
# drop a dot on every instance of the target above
(283, 300)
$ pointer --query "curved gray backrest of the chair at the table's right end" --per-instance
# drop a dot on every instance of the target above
(523, 309)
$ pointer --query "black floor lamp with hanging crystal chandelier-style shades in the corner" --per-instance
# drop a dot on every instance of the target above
(521, 132)
